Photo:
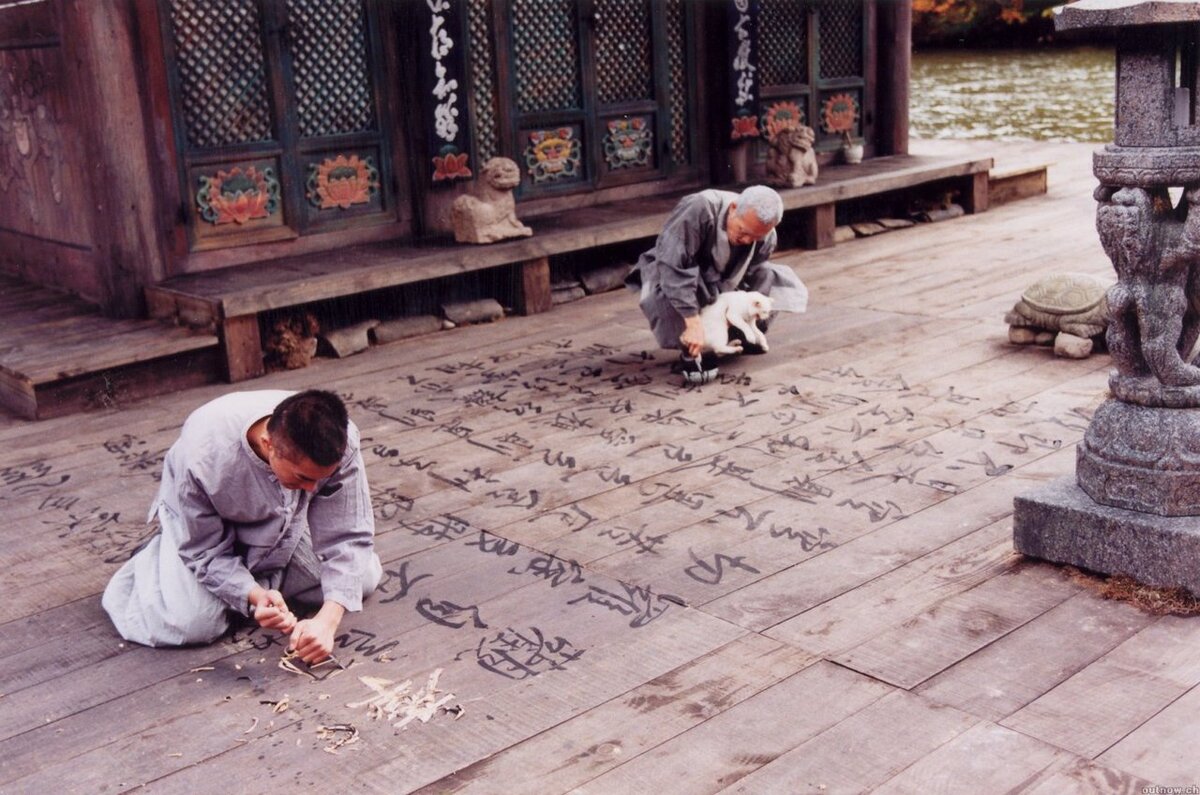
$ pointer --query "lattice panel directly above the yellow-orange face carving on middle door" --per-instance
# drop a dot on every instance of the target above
(547, 55)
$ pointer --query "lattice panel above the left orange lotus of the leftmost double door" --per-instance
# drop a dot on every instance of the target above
(224, 91)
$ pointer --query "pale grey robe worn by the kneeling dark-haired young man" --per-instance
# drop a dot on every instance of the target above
(227, 524)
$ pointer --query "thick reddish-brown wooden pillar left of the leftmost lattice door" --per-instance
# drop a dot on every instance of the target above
(100, 45)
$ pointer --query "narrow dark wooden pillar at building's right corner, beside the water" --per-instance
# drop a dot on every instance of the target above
(895, 75)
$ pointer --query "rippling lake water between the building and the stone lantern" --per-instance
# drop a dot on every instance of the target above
(1006, 95)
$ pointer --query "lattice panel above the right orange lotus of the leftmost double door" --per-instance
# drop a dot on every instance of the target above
(333, 81)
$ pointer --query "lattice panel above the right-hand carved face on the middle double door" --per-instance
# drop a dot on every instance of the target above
(625, 64)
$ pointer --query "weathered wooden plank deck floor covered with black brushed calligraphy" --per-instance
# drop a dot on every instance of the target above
(799, 579)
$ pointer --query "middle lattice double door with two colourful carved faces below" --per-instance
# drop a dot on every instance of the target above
(598, 93)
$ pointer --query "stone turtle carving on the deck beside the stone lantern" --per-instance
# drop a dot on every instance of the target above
(1067, 310)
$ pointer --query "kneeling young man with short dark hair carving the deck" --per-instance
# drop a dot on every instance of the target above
(263, 504)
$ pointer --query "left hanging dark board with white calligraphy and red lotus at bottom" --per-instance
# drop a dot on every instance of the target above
(443, 80)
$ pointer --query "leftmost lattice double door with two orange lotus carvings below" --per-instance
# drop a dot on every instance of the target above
(278, 117)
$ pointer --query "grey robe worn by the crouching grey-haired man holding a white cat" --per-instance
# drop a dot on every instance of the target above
(693, 262)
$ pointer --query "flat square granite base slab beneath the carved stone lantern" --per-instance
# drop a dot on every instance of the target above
(1060, 523)
